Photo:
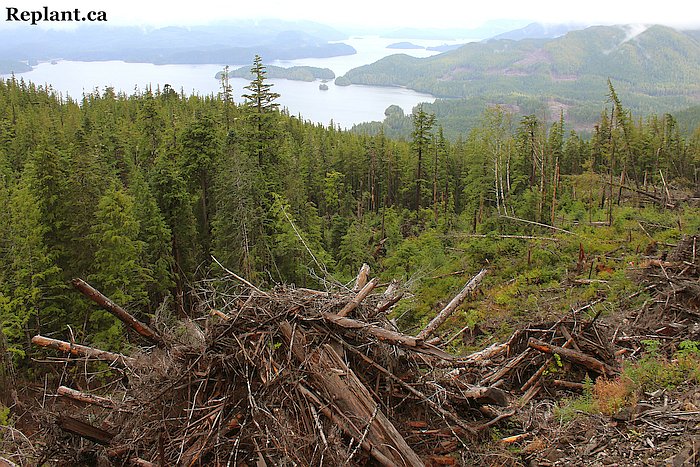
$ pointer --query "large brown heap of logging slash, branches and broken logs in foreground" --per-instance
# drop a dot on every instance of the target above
(294, 376)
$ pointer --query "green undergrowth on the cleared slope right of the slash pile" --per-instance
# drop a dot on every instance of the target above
(536, 279)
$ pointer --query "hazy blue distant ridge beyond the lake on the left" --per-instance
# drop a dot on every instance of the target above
(226, 43)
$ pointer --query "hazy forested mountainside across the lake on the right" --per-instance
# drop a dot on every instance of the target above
(655, 69)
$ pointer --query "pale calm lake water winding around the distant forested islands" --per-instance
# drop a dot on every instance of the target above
(344, 106)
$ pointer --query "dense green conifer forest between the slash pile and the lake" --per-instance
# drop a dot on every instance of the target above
(135, 193)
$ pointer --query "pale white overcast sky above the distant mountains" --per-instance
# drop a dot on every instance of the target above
(386, 13)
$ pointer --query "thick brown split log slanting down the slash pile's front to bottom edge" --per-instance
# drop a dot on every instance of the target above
(351, 398)
